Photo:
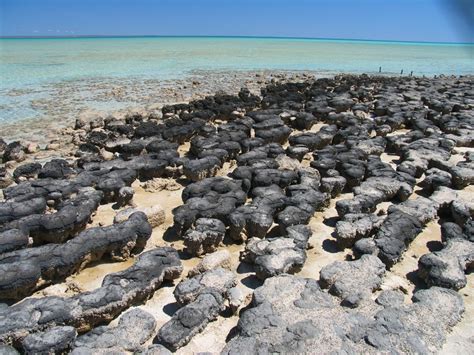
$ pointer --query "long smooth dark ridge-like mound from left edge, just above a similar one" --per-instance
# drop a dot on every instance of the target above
(23, 271)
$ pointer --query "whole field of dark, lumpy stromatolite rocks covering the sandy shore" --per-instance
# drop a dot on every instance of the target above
(286, 154)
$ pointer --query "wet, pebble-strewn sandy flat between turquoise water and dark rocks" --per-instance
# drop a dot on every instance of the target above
(62, 103)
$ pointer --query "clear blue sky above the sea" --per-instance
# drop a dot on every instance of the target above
(402, 20)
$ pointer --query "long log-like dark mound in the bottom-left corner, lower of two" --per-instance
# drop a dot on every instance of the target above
(118, 292)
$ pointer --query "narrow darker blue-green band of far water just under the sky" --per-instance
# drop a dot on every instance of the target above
(316, 39)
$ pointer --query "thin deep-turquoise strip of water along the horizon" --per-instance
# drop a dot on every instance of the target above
(236, 36)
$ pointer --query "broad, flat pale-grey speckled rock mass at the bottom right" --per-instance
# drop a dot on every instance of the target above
(291, 314)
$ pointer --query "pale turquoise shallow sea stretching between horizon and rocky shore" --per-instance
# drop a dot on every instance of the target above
(32, 70)
